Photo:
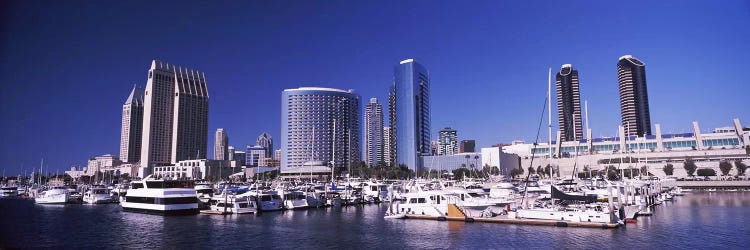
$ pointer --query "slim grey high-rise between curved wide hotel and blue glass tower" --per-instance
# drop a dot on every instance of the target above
(373, 138)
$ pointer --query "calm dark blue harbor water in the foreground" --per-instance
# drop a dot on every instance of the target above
(698, 220)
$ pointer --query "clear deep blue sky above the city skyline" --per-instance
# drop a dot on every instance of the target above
(66, 67)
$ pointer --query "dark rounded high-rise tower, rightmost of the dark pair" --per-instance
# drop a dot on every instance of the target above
(636, 118)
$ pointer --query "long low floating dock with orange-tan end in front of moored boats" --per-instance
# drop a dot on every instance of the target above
(455, 214)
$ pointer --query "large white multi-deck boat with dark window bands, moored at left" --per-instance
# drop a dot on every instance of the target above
(159, 196)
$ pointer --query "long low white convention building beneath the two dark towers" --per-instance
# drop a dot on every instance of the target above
(652, 151)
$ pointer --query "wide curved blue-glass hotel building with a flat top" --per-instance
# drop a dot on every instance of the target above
(319, 125)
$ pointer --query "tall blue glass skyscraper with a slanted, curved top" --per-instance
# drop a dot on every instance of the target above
(411, 105)
